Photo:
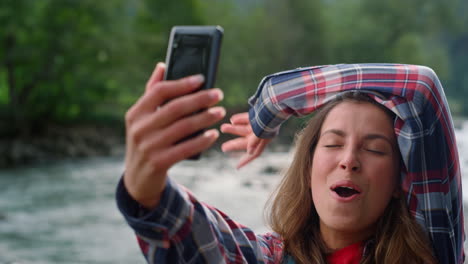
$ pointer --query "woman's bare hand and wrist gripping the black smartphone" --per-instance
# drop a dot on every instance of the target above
(162, 117)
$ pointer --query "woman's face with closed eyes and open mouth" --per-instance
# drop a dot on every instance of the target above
(354, 172)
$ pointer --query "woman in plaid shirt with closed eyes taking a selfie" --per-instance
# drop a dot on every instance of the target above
(365, 220)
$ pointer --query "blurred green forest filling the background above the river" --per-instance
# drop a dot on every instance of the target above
(69, 62)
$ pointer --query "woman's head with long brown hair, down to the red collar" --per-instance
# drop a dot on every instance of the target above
(346, 166)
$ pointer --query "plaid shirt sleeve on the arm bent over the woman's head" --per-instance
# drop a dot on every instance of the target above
(431, 178)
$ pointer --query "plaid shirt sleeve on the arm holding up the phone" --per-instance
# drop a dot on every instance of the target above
(183, 230)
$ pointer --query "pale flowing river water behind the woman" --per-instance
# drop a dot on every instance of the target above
(65, 213)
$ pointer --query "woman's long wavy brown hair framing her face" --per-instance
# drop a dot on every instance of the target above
(291, 212)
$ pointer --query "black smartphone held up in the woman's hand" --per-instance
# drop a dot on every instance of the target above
(193, 50)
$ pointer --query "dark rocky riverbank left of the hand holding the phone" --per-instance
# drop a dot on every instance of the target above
(58, 142)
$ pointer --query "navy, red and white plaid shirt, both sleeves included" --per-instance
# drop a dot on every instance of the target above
(184, 230)
